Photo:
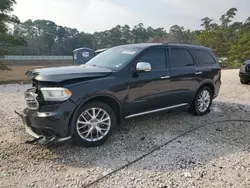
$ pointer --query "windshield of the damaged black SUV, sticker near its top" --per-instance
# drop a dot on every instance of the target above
(115, 58)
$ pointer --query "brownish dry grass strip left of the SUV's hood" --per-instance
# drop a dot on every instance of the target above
(16, 74)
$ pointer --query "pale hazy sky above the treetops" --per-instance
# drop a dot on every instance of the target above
(99, 15)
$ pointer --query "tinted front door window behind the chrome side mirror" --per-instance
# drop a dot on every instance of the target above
(156, 57)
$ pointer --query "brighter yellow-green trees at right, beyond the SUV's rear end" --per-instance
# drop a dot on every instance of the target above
(229, 40)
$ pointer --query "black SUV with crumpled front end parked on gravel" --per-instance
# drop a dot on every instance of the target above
(86, 102)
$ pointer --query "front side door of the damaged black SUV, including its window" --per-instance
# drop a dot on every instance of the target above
(149, 90)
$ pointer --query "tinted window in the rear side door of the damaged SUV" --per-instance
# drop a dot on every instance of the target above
(181, 58)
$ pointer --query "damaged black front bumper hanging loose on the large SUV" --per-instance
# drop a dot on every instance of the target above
(49, 121)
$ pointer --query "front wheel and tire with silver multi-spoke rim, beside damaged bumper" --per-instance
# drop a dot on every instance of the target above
(94, 129)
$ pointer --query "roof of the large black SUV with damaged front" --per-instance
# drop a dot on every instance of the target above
(147, 45)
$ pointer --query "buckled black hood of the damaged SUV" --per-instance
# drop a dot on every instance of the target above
(60, 74)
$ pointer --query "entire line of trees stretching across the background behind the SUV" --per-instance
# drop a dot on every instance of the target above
(227, 39)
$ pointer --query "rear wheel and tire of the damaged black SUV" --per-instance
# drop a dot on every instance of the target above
(197, 108)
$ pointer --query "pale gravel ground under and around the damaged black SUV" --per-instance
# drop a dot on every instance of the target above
(215, 155)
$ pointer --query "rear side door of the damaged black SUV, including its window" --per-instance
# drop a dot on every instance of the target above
(184, 75)
